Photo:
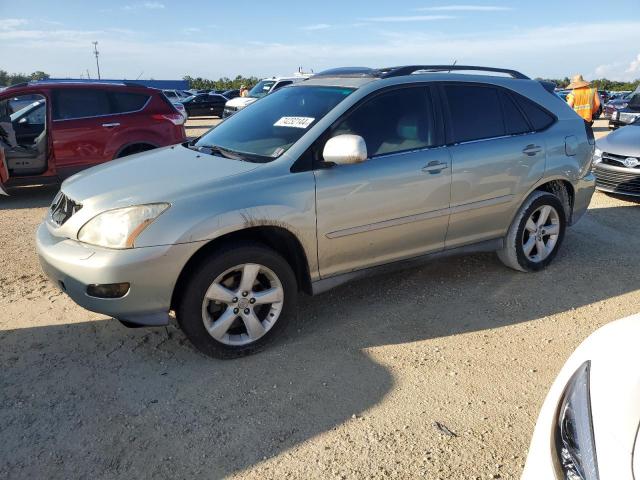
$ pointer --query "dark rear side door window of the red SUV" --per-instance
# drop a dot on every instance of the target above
(80, 103)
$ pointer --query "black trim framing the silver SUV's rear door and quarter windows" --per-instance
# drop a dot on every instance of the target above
(450, 139)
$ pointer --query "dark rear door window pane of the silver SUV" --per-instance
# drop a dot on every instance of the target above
(475, 111)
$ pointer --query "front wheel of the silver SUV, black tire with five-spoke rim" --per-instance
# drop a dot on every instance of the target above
(237, 301)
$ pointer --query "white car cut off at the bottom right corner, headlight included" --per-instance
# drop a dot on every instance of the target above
(588, 426)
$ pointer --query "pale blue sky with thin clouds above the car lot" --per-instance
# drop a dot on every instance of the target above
(164, 39)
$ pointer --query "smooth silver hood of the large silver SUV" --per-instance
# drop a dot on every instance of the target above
(160, 175)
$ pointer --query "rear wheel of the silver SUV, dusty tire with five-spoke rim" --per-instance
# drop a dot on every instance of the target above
(535, 236)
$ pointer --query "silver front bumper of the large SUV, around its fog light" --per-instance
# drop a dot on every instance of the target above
(152, 273)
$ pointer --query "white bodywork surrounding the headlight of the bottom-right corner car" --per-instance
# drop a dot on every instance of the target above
(615, 402)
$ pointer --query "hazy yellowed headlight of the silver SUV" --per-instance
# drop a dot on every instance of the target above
(120, 228)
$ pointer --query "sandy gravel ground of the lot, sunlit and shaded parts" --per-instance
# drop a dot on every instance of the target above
(436, 372)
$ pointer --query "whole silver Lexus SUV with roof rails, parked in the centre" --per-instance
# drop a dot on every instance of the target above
(350, 173)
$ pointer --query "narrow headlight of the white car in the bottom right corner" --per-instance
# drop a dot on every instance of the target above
(575, 443)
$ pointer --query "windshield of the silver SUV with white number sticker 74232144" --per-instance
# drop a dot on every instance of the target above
(269, 127)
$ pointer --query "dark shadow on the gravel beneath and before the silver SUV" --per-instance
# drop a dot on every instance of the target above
(93, 399)
